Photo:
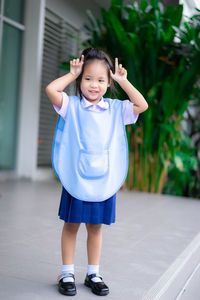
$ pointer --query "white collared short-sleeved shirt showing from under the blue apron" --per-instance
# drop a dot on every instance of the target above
(128, 116)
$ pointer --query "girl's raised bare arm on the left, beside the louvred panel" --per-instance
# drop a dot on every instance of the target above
(54, 88)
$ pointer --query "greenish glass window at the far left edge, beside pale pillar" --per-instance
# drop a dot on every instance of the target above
(11, 35)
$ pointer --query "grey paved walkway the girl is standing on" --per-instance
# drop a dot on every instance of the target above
(142, 255)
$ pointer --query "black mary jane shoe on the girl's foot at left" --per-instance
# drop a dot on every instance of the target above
(66, 288)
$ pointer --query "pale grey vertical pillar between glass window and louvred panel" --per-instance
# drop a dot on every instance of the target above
(30, 89)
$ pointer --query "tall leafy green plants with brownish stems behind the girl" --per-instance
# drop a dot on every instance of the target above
(163, 63)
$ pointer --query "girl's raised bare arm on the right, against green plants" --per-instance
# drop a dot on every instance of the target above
(134, 95)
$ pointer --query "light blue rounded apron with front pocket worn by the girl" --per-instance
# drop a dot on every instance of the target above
(90, 150)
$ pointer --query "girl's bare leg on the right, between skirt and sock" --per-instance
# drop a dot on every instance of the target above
(94, 243)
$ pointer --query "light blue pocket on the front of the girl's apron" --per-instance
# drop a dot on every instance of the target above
(92, 164)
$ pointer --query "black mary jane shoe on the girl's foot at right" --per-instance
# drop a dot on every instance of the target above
(98, 288)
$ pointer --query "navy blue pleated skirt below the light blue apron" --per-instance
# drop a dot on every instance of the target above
(73, 210)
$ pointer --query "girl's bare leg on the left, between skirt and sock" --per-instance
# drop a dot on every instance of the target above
(68, 242)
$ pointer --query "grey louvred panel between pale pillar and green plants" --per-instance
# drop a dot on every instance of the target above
(58, 45)
